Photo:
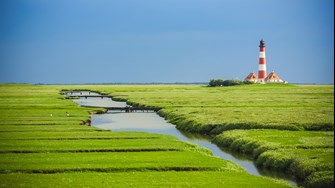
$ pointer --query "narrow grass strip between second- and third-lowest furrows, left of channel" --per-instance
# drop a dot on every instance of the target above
(89, 145)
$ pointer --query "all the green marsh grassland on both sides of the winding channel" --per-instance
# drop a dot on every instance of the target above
(41, 134)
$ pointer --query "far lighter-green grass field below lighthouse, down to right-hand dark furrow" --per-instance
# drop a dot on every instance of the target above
(212, 110)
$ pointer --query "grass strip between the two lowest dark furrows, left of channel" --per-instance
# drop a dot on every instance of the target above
(113, 162)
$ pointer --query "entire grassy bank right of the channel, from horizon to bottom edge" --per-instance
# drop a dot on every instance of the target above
(304, 114)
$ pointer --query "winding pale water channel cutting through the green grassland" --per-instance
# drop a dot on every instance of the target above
(152, 123)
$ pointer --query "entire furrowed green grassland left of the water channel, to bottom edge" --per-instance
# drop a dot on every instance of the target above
(44, 143)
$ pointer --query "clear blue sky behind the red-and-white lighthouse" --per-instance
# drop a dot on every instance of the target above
(140, 41)
